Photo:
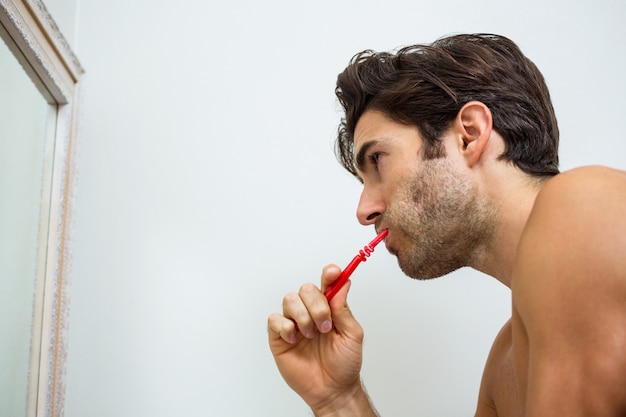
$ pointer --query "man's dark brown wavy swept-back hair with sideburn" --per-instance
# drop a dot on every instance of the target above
(426, 86)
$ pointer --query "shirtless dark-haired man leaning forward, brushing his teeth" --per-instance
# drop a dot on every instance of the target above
(456, 146)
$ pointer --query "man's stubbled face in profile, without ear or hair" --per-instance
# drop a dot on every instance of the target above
(437, 221)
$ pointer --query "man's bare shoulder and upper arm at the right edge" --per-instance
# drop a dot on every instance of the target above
(569, 296)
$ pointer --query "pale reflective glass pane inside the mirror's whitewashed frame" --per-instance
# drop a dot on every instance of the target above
(22, 145)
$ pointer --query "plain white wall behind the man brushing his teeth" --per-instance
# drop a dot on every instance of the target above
(208, 189)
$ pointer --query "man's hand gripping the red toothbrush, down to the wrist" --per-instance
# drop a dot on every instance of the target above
(317, 347)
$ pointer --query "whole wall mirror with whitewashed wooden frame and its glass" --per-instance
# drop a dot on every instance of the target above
(39, 80)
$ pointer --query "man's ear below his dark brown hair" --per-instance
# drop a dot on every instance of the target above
(474, 123)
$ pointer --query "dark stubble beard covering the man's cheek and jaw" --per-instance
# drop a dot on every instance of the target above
(440, 221)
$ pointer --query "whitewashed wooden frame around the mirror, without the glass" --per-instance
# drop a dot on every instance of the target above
(36, 41)
